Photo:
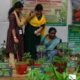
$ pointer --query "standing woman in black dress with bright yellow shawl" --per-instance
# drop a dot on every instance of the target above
(33, 31)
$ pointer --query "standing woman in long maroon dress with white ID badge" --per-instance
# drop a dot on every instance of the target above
(14, 45)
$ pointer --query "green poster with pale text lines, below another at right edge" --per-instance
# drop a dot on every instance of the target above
(74, 38)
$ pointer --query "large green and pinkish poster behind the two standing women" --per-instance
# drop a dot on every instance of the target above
(55, 10)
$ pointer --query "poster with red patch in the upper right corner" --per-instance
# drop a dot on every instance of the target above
(76, 11)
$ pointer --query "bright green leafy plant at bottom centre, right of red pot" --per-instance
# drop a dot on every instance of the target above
(36, 74)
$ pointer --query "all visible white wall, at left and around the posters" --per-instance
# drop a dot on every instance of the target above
(62, 31)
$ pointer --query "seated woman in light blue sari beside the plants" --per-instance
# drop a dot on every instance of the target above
(51, 41)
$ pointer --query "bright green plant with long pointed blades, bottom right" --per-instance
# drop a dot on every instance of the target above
(65, 74)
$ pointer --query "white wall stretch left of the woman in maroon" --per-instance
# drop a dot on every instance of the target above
(4, 7)
